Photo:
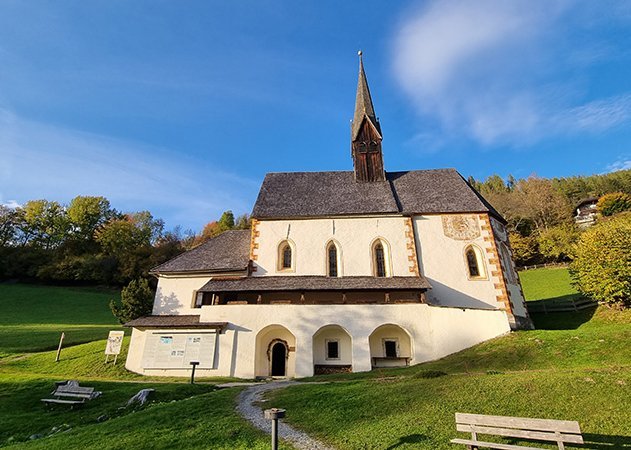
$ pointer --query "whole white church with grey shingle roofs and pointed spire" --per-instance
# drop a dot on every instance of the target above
(340, 272)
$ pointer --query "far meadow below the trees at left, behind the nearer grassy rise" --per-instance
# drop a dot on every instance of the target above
(33, 316)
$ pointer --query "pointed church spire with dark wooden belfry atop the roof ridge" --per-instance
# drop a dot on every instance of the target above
(366, 134)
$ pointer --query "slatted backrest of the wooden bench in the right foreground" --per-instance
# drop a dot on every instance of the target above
(521, 427)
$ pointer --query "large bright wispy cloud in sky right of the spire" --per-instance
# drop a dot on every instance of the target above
(489, 70)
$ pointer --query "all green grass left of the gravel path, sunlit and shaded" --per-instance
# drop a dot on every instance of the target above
(179, 415)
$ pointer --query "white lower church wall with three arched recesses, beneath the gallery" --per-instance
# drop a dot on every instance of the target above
(434, 332)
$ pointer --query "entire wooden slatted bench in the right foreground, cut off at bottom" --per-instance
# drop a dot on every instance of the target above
(559, 431)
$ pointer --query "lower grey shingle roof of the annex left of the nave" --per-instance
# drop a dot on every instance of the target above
(227, 252)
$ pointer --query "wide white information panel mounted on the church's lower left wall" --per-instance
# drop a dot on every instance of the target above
(168, 350)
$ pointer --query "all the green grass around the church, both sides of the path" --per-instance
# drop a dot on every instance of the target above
(575, 366)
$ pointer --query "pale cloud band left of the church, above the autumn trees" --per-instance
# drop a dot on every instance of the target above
(42, 161)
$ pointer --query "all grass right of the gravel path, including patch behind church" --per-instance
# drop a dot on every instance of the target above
(575, 366)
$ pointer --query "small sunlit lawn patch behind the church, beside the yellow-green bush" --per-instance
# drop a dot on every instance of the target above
(547, 284)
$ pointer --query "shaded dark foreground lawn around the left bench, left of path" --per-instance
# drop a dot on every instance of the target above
(179, 416)
